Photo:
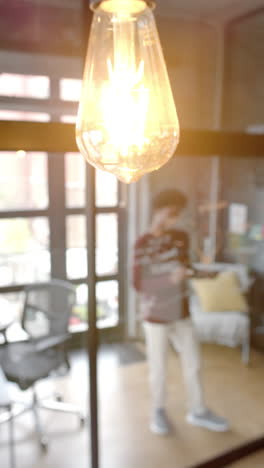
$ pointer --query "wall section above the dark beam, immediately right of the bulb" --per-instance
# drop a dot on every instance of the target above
(189, 49)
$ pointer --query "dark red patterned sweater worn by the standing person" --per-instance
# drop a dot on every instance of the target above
(155, 260)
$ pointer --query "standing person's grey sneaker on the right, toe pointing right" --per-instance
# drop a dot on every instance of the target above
(208, 420)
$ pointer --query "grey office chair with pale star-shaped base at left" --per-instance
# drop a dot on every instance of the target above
(45, 318)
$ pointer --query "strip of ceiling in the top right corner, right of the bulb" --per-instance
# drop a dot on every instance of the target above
(212, 10)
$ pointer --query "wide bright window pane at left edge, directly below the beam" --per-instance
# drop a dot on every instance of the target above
(23, 180)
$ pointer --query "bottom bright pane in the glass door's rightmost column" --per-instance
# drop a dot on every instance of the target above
(107, 303)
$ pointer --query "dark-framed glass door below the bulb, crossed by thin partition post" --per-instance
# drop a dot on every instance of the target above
(108, 245)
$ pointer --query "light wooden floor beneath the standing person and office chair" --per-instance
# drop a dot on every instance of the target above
(232, 389)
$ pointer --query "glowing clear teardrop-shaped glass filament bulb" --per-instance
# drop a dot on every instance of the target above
(127, 122)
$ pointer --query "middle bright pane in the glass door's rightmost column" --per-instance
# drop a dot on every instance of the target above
(106, 244)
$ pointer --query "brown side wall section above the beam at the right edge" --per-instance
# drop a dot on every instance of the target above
(244, 91)
